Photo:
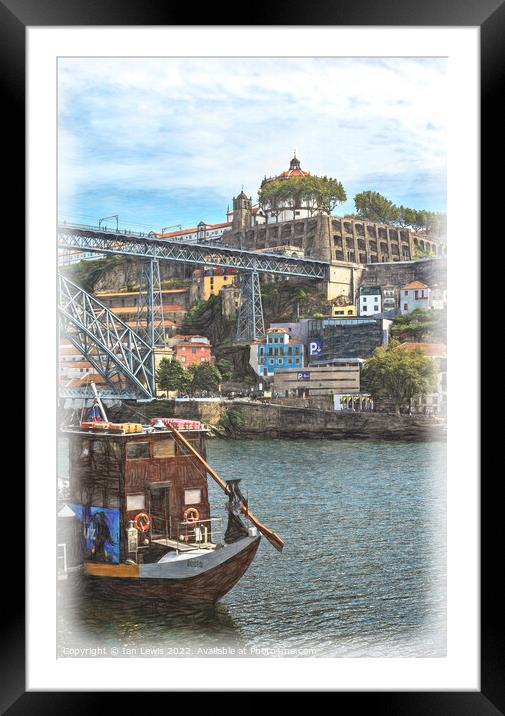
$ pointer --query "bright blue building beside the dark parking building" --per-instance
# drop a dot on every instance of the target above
(278, 350)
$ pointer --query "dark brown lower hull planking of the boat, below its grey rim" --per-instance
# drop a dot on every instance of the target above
(206, 587)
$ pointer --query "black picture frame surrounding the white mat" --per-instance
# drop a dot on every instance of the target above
(489, 15)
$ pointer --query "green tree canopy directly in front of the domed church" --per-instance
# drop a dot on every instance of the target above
(323, 193)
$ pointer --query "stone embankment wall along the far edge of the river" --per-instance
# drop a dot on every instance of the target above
(240, 419)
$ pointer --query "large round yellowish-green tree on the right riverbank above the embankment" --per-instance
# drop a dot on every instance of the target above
(399, 374)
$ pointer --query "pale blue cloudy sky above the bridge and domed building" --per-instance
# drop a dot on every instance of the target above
(169, 141)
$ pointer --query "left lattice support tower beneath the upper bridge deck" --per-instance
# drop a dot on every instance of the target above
(150, 323)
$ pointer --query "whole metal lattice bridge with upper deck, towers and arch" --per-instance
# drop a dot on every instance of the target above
(124, 357)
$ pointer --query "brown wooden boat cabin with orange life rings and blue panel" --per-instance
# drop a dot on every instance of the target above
(136, 495)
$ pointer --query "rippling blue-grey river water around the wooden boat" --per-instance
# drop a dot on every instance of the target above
(362, 573)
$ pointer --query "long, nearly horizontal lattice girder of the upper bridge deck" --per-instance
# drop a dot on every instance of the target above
(131, 244)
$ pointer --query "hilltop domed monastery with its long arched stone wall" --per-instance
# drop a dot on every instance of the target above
(294, 216)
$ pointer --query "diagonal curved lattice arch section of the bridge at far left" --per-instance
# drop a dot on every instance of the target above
(116, 352)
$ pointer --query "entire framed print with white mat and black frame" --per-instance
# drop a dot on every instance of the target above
(261, 231)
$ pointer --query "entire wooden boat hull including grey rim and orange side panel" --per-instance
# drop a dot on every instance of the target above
(215, 575)
